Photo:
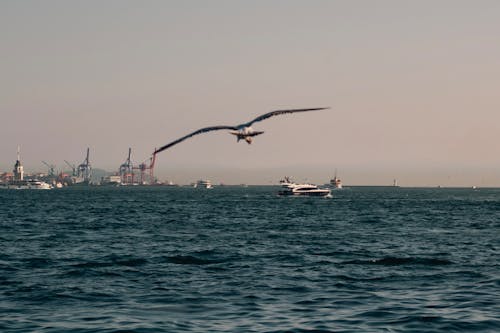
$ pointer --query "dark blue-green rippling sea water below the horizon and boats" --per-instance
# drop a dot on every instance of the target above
(244, 260)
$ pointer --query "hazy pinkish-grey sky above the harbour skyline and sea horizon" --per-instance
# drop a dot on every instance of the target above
(413, 87)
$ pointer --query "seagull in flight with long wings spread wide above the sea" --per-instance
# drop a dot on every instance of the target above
(242, 132)
